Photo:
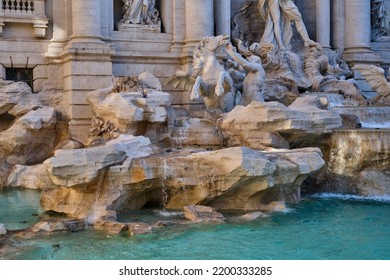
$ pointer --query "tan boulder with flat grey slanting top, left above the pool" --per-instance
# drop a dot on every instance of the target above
(77, 176)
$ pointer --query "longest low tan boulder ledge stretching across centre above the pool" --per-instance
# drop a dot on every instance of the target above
(233, 178)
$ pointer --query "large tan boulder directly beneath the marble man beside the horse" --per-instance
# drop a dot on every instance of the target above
(271, 124)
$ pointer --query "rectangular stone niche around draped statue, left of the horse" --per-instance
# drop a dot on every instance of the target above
(143, 18)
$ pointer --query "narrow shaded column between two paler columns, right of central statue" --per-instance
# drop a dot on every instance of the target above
(338, 25)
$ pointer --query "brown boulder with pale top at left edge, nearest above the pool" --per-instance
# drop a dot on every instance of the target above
(30, 139)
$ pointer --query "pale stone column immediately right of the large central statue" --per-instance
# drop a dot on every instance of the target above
(323, 22)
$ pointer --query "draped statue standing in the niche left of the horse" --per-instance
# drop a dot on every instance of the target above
(139, 11)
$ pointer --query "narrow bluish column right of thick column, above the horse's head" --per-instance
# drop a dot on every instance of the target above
(222, 13)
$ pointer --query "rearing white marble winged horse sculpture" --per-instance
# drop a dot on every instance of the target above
(209, 79)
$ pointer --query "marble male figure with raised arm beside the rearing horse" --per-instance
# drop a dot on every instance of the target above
(254, 79)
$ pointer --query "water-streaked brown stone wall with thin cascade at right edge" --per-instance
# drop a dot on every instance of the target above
(359, 162)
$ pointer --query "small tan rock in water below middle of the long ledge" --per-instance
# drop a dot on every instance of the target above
(202, 214)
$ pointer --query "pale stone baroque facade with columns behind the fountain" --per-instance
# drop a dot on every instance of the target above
(76, 46)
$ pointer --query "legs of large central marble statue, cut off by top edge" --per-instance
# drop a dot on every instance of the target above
(279, 15)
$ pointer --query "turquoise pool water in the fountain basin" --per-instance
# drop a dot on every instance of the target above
(325, 227)
